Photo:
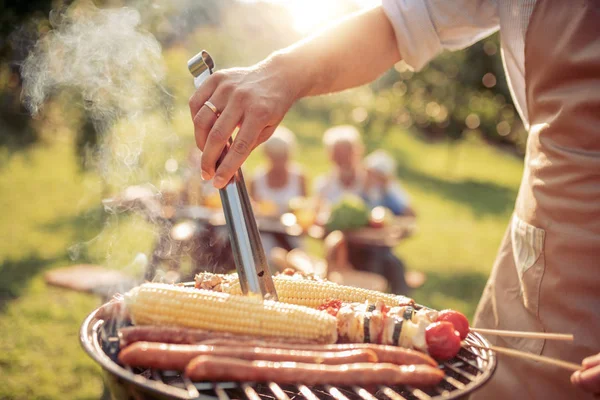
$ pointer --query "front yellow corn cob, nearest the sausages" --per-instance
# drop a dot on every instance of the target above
(162, 304)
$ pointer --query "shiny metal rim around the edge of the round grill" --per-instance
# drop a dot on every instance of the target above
(89, 340)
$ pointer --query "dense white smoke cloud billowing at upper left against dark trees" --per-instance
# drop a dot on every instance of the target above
(117, 69)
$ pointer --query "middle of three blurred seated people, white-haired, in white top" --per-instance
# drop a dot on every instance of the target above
(345, 149)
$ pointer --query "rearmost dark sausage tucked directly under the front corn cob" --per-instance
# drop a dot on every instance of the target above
(172, 334)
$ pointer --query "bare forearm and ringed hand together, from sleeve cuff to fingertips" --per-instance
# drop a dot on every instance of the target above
(350, 53)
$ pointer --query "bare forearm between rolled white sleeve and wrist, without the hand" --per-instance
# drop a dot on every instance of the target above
(353, 52)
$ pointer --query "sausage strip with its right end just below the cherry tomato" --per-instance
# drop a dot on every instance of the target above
(385, 353)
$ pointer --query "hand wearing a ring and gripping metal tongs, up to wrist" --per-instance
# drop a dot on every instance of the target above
(255, 99)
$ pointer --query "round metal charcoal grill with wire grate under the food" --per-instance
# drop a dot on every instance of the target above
(469, 370)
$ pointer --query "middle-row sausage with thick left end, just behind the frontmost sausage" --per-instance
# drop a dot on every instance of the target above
(177, 356)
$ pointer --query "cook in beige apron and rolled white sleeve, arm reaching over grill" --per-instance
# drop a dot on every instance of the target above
(546, 274)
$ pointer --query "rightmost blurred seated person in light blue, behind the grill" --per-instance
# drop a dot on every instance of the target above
(381, 188)
